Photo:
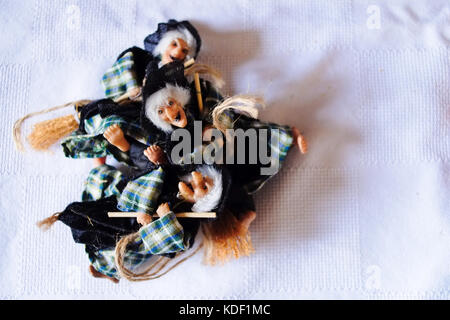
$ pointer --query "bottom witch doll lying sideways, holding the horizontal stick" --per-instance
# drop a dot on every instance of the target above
(196, 189)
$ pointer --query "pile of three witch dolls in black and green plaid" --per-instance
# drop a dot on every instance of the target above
(148, 96)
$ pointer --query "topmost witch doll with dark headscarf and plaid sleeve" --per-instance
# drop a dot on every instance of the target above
(172, 41)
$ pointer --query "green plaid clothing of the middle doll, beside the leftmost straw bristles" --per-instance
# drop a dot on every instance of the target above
(94, 145)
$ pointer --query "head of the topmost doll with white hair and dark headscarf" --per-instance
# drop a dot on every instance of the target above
(174, 41)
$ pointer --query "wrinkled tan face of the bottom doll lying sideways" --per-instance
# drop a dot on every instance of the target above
(196, 188)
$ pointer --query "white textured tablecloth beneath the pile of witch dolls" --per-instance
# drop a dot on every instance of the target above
(366, 214)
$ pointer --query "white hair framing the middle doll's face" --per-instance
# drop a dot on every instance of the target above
(161, 98)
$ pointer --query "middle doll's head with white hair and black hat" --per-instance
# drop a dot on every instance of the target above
(165, 96)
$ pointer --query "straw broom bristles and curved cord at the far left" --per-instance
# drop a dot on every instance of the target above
(41, 140)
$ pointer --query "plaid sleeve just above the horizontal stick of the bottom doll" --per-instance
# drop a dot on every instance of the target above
(141, 194)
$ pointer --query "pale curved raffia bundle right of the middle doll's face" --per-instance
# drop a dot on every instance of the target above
(246, 104)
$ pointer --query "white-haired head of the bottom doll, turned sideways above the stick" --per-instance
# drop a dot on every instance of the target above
(202, 187)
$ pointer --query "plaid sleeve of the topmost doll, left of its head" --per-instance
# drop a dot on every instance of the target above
(120, 77)
